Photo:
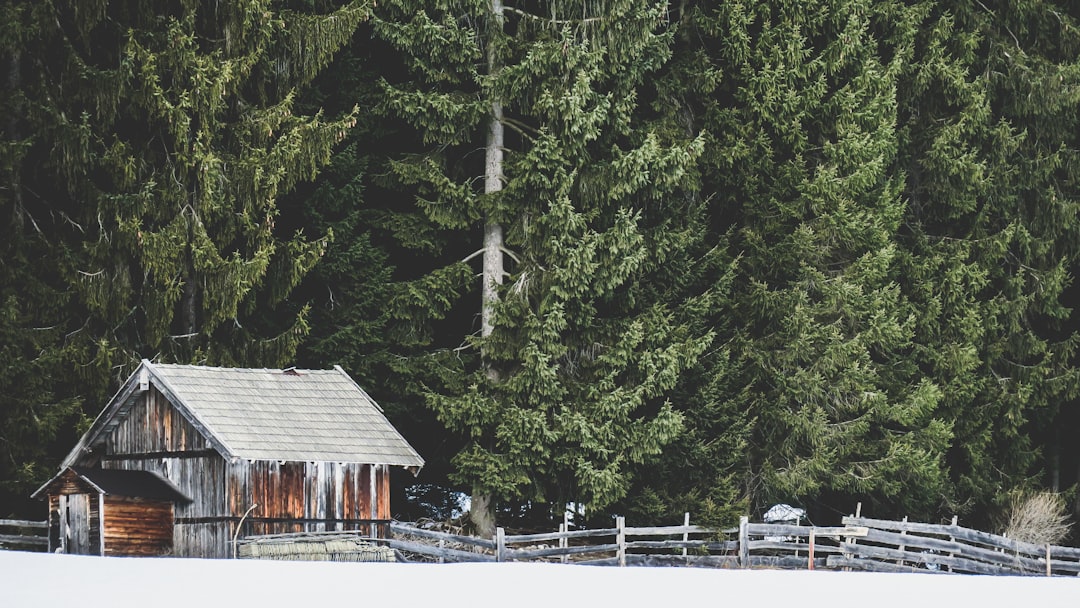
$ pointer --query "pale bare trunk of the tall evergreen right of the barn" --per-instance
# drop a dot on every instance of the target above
(482, 511)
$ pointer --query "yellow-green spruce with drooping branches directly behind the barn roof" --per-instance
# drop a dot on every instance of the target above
(168, 134)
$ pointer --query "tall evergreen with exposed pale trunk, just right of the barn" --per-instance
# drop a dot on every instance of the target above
(566, 377)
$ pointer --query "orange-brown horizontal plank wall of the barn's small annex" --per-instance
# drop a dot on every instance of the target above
(136, 528)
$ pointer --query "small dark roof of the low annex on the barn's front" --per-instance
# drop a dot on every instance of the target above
(113, 482)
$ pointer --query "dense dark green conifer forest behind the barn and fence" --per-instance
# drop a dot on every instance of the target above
(631, 256)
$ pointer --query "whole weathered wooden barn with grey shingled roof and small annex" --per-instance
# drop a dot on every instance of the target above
(183, 455)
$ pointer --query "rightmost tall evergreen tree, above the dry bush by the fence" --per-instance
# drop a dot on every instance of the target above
(989, 125)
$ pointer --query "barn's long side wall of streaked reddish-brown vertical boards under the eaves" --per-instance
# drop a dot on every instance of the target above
(294, 497)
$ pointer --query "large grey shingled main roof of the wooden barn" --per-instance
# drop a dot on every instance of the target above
(296, 415)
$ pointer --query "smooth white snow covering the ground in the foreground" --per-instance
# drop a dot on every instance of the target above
(46, 582)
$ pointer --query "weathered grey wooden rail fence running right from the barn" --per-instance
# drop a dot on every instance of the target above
(860, 544)
